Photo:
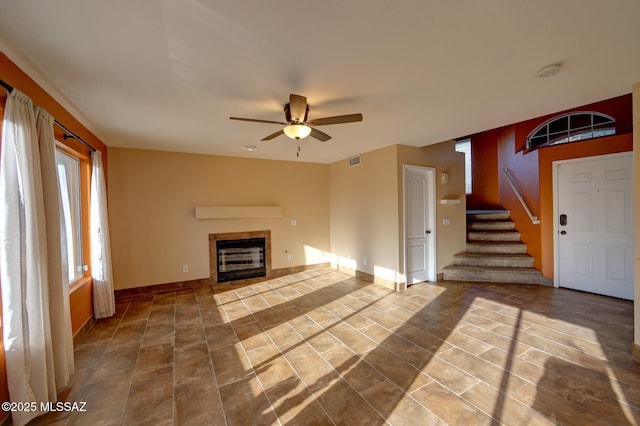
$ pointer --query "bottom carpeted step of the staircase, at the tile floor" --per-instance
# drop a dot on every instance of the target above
(492, 274)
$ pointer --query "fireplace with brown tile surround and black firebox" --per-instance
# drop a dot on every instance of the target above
(239, 256)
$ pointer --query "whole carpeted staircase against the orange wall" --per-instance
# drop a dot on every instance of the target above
(494, 252)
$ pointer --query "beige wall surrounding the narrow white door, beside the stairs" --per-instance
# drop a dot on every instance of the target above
(450, 239)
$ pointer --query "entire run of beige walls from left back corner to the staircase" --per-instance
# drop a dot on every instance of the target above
(351, 216)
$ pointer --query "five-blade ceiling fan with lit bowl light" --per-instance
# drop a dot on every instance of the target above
(297, 124)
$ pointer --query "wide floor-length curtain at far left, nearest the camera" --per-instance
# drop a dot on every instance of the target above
(31, 286)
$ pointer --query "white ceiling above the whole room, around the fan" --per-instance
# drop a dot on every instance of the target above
(166, 75)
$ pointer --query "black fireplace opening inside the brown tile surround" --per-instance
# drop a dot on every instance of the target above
(240, 259)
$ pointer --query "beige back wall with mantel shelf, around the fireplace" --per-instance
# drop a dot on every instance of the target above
(153, 196)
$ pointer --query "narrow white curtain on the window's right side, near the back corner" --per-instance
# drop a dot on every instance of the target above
(103, 297)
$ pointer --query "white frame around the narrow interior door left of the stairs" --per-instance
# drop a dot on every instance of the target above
(430, 199)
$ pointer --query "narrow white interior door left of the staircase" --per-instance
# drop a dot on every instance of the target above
(419, 217)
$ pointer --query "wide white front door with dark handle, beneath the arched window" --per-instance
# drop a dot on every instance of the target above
(594, 224)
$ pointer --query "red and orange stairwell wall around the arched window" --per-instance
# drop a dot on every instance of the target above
(505, 148)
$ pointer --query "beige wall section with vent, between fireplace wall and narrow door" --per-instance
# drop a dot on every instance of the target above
(364, 214)
